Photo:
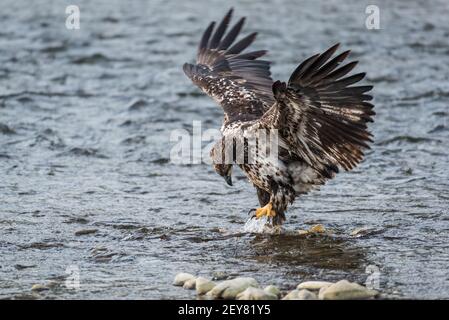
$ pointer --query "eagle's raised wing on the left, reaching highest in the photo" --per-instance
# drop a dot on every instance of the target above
(239, 82)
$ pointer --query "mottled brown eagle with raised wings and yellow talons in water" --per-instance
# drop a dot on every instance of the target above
(319, 116)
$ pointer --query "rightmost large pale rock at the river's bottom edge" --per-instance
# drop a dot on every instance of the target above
(345, 290)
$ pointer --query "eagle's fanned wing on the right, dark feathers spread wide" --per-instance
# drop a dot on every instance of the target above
(320, 115)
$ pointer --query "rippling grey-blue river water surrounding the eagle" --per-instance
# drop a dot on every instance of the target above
(85, 122)
